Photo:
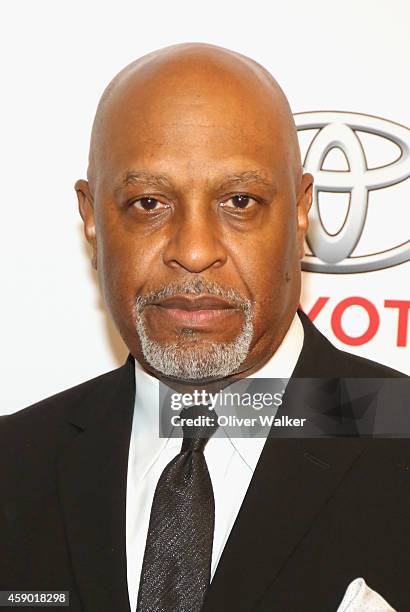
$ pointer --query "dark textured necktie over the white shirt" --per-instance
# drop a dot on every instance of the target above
(176, 568)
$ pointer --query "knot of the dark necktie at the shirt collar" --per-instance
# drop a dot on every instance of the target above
(199, 423)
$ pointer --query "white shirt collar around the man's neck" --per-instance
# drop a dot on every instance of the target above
(145, 426)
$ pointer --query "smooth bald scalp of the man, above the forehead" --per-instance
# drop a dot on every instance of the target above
(189, 81)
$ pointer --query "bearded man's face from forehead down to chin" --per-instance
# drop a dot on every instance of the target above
(198, 232)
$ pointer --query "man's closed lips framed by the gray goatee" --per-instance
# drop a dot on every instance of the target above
(195, 311)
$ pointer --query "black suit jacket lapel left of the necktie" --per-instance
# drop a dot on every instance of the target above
(92, 473)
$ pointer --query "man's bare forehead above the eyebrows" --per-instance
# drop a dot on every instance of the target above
(196, 130)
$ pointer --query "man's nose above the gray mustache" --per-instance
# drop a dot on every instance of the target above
(195, 241)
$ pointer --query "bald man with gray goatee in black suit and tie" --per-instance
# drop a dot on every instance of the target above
(196, 208)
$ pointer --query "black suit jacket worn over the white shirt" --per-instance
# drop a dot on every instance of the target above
(318, 513)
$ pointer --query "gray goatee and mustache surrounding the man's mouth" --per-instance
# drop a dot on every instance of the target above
(195, 359)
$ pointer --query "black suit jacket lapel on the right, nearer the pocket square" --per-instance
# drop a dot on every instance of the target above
(293, 480)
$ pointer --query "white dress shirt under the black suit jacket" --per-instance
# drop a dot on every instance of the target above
(231, 461)
